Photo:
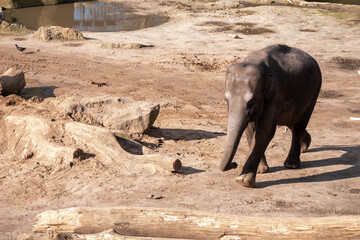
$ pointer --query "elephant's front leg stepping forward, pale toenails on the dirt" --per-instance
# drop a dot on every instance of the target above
(264, 132)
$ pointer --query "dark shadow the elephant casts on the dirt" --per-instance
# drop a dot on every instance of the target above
(350, 157)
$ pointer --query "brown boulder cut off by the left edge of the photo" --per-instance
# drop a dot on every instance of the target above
(12, 82)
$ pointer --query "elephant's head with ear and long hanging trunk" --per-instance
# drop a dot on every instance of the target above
(247, 88)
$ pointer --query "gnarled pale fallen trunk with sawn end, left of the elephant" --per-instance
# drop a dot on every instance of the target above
(30, 139)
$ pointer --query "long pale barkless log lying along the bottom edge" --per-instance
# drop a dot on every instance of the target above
(167, 223)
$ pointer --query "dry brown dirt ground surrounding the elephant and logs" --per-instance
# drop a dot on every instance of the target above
(184, 72)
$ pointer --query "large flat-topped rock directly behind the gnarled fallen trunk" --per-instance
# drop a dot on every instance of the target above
(114, 113)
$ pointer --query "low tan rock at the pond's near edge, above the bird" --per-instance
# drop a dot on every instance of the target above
(49, 33)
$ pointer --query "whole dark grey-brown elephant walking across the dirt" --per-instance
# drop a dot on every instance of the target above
(277, 85)
